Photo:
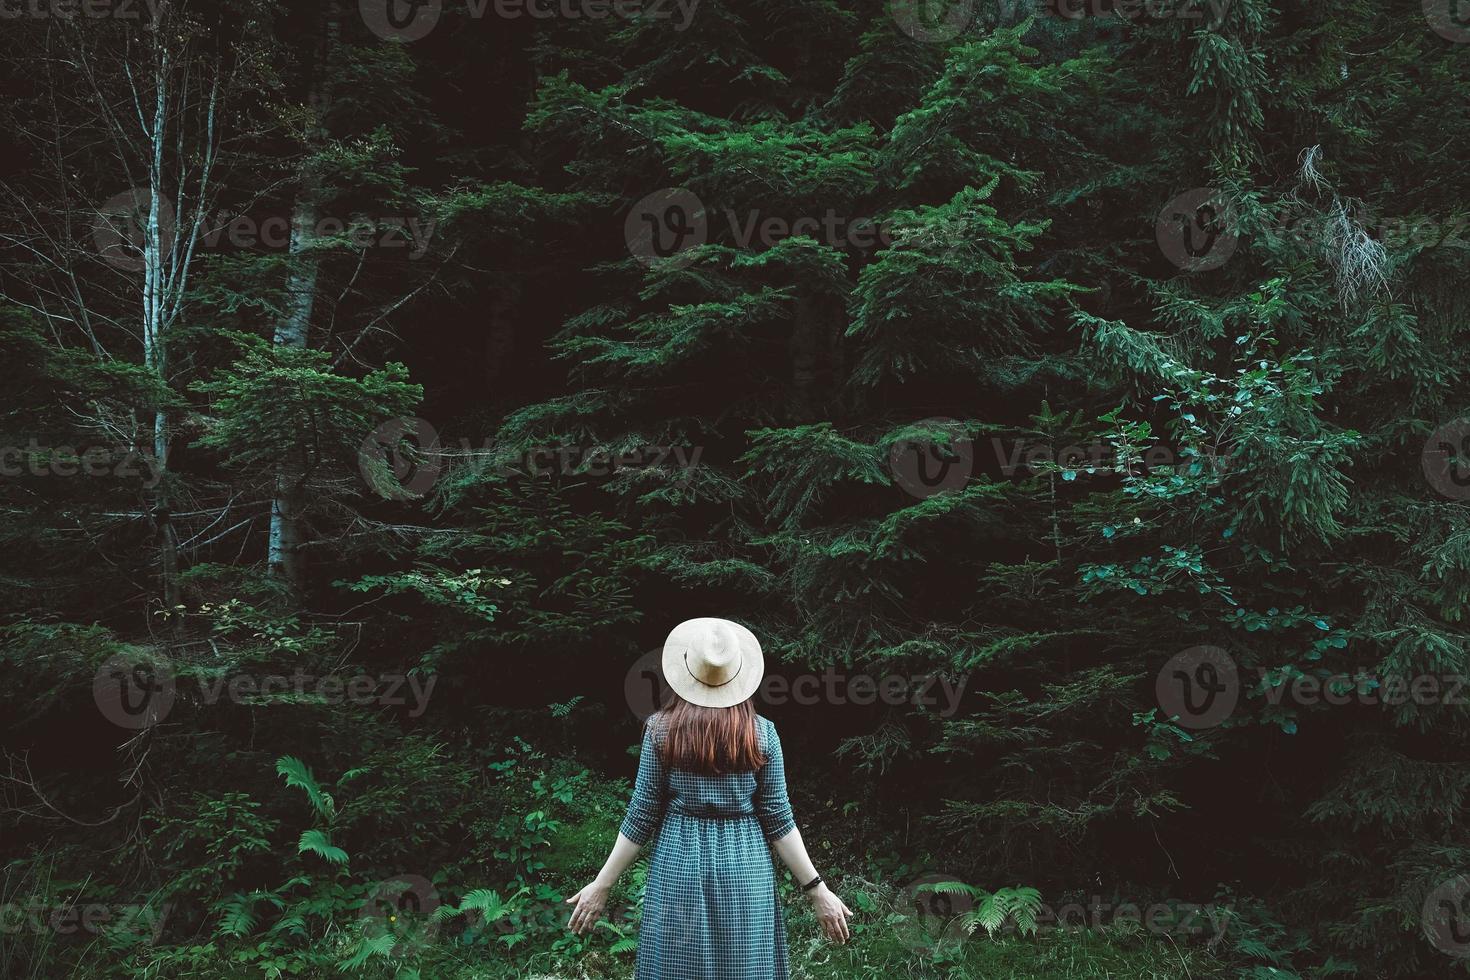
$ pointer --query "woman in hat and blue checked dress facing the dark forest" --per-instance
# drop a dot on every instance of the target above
(714, 791)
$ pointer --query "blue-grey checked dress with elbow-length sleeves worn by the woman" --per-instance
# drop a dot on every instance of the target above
(711, 909)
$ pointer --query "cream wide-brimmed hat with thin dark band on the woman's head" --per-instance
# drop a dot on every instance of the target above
(712, 662)
